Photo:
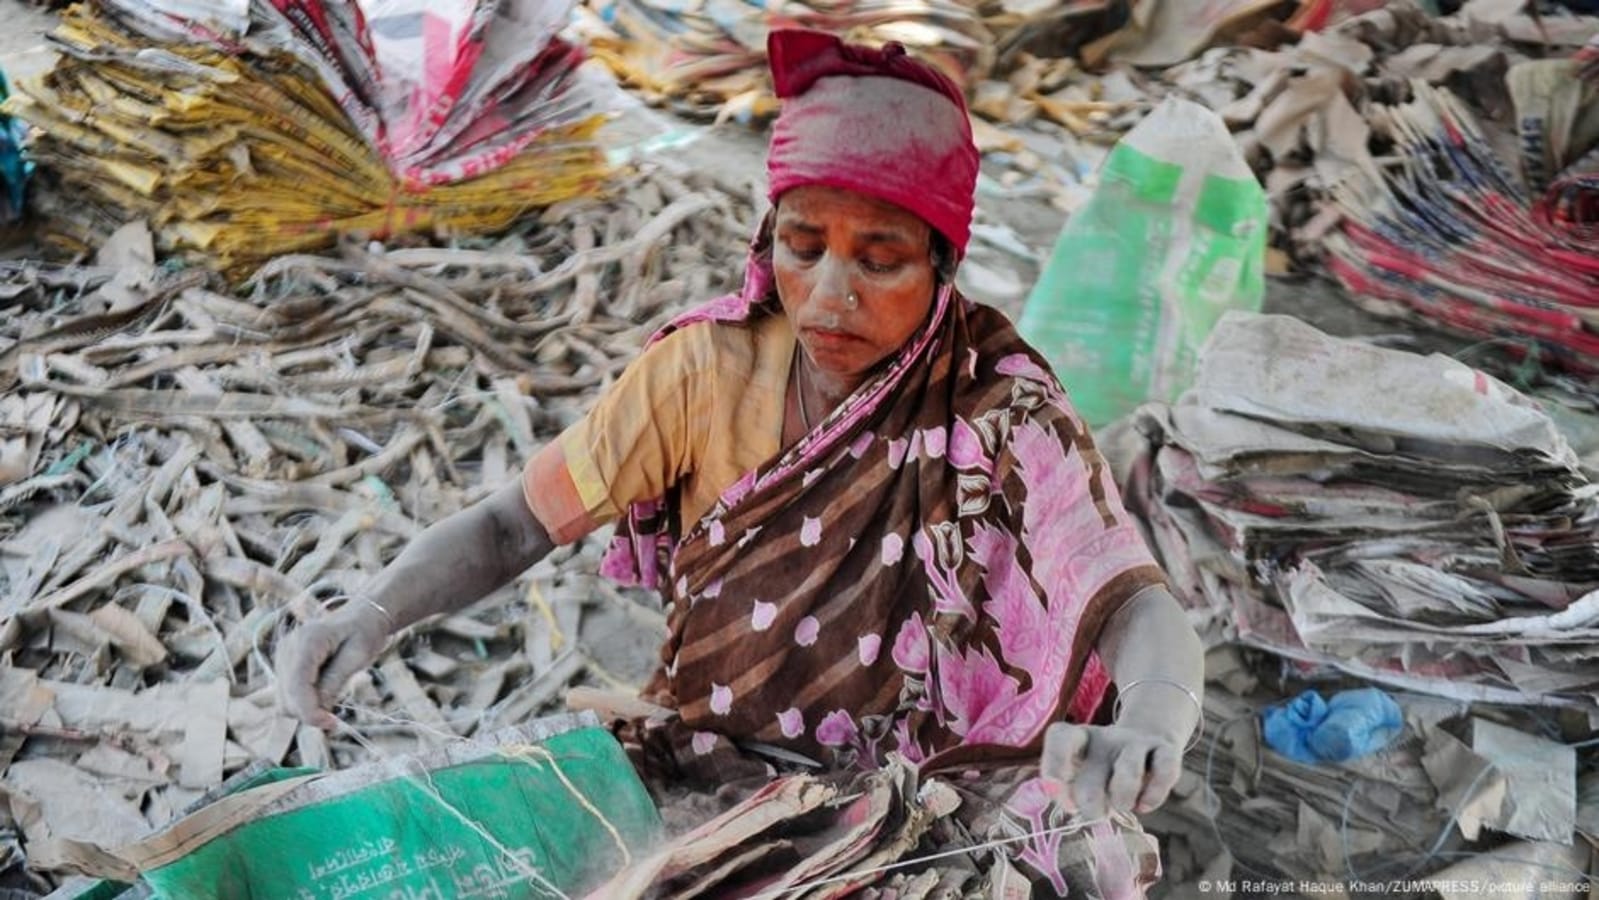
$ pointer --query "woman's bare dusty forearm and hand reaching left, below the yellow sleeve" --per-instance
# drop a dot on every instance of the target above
(450, 567)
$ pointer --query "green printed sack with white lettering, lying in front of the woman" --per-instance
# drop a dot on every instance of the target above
(540, 811)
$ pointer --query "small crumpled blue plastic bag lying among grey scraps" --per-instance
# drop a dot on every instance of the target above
(1352, 725)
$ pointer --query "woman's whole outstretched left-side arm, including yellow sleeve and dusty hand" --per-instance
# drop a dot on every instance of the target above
(631, 445)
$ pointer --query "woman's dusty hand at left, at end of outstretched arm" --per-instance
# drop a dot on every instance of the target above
(321, 656)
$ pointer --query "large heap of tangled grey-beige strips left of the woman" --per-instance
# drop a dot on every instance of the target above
(185, 469)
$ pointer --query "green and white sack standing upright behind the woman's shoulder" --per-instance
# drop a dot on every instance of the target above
(1173, 237)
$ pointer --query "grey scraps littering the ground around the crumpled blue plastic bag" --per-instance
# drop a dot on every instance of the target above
(1457, 789)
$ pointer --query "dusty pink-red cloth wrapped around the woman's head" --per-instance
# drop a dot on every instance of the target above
(877, 122)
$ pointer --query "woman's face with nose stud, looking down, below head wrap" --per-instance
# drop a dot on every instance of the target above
(829, 244)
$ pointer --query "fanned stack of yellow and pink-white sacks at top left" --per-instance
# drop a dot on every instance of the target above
(265, 127)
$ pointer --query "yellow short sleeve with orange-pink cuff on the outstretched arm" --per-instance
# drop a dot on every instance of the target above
(636, 444)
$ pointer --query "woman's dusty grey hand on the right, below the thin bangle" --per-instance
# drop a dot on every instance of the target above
(1098, 770)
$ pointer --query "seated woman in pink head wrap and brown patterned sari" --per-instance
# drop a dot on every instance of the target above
(877, 520)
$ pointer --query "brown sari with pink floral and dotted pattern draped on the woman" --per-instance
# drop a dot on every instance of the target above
(927, 575)
